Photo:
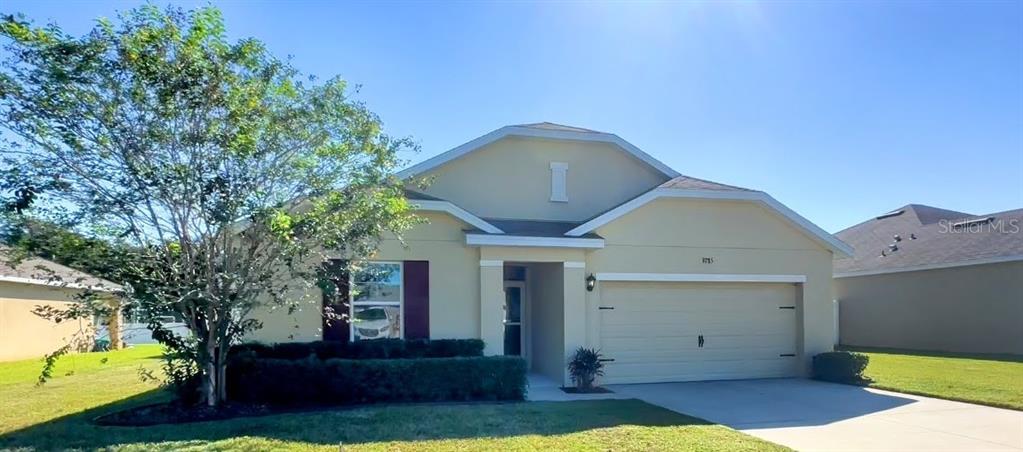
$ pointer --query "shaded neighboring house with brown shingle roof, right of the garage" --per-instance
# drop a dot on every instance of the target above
(928, 279)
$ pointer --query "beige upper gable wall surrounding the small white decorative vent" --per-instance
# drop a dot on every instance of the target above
(511, 178)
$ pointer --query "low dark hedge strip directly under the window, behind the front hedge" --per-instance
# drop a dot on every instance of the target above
(378, 349)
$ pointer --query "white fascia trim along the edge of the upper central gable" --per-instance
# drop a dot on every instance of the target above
(538, 130)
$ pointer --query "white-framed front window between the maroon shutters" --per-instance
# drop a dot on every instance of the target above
(377, 295)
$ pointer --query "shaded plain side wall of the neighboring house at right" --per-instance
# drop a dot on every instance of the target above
(975, 309)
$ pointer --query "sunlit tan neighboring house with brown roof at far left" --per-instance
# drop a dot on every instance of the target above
(36, 283)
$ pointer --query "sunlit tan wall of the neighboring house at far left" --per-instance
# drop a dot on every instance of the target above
(25, 336)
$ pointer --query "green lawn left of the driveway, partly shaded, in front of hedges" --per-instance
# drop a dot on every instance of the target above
(57, 417)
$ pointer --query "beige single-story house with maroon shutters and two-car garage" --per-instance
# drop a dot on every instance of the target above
(544, 239)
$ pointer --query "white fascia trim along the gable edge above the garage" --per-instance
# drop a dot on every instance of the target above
(688, 188)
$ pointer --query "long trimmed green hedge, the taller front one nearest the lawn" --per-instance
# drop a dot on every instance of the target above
(343, 382)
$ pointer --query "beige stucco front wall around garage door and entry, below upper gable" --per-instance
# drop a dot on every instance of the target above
(664, 237)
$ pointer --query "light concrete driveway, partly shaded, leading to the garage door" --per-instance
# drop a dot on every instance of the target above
(813, 416)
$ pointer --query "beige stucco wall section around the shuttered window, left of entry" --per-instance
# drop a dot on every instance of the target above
(455, 286)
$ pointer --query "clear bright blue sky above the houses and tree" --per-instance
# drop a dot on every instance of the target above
(842, 111)
